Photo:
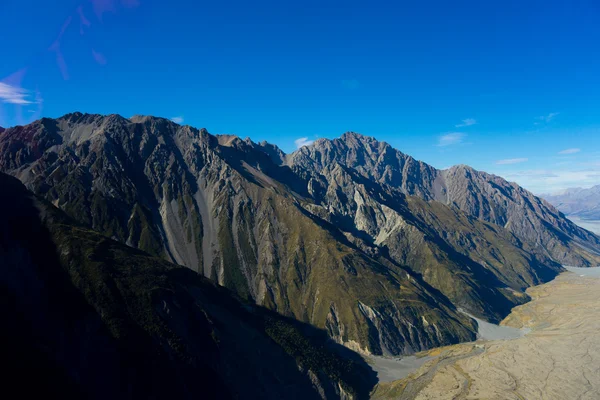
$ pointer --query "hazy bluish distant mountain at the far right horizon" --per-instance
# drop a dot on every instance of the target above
(578, 202)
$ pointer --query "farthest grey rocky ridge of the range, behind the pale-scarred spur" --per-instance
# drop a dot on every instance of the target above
(484, 196)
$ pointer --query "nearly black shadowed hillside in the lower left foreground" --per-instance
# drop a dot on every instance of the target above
(87, 317)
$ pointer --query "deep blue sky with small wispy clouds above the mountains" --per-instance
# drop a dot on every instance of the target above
(512, 88)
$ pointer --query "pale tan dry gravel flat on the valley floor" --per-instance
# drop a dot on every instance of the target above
(559, 359)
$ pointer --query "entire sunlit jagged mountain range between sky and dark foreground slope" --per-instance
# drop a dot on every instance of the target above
(348, 235)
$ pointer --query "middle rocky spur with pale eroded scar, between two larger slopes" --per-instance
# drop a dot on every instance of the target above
(478, 266)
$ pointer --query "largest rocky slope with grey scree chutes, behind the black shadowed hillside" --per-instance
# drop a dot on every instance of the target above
(222, 207)
